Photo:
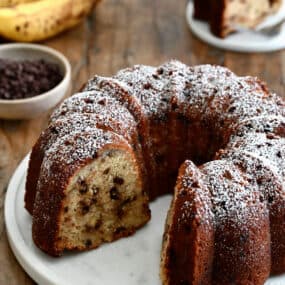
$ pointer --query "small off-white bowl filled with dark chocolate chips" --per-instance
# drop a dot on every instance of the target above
(33, 79)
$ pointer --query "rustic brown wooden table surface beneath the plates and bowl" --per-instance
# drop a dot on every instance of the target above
(121, 33)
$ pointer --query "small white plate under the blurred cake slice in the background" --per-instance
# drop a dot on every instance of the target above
(242, 41)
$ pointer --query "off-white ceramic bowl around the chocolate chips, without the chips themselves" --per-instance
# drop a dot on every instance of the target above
(32, 107)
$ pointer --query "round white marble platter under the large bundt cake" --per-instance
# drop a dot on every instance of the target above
(129, 261)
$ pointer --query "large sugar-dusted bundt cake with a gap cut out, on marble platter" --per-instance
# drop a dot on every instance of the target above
(119, 143)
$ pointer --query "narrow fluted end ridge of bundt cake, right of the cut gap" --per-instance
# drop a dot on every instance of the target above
(188, 243)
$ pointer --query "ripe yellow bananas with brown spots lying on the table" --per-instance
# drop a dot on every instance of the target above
(36, 20)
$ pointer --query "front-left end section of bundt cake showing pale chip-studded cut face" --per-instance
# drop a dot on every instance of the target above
(90, 191)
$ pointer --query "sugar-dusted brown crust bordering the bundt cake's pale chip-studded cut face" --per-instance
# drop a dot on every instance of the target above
(65, 160)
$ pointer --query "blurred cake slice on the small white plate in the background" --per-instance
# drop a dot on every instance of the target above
(224, 16)
